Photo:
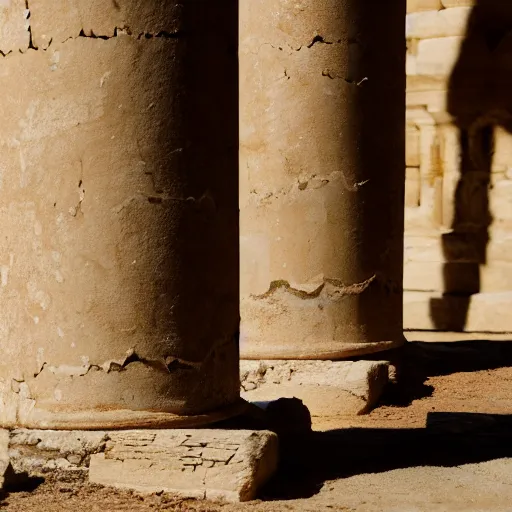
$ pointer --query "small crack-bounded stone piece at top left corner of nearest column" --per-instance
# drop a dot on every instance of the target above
(14, 26)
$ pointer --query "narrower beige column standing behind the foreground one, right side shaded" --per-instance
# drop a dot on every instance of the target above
(322, 177)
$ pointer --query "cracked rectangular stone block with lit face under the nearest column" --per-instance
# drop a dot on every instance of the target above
(209, 464)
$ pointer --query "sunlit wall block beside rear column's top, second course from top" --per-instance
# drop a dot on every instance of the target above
(434, 24)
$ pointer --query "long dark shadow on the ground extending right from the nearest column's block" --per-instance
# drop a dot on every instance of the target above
(310, 460)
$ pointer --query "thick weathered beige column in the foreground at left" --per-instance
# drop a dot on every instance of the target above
(118, 213)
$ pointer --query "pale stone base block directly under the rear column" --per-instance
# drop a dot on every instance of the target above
(327, 388)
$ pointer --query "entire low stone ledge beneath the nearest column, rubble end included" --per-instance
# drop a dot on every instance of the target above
(214, 464)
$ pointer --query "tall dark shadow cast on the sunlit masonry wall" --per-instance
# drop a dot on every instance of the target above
(479, 99)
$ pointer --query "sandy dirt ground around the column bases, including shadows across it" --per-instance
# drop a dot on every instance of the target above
(439, 441)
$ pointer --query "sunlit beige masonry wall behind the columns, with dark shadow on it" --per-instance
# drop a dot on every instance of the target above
(458, 214)
